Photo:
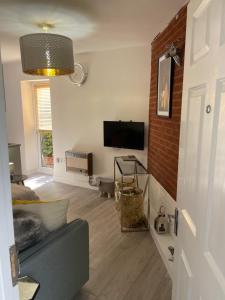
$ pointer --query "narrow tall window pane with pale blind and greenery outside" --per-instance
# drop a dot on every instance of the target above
(44, 124)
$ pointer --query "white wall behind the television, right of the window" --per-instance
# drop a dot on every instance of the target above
(117, 88)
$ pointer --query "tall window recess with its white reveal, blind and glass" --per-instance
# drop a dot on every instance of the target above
(37, 149)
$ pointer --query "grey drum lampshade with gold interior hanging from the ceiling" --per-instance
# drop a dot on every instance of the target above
(46, 54)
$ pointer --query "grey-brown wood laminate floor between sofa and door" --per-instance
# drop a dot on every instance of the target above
(123, 266)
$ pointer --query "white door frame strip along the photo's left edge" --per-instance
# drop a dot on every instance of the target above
(7, 291)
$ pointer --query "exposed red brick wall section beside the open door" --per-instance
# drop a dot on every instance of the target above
(164, 132)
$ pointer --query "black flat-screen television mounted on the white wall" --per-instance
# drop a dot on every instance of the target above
(128, 135)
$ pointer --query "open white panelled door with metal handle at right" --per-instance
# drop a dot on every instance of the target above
(200, 259)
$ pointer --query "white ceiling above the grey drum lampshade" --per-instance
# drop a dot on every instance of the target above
(94, 25)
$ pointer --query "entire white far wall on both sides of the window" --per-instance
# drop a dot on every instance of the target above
(117, 88)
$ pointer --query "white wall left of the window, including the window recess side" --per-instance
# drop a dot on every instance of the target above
(19, 116)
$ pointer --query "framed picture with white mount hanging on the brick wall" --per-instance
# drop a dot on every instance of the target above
(164, 86)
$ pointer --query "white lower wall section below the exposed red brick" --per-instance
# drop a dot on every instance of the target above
(159, 196)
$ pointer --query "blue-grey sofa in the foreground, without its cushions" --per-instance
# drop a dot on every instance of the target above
(60, 263)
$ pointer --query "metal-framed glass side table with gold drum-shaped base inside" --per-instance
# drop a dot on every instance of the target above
(133, 202)
